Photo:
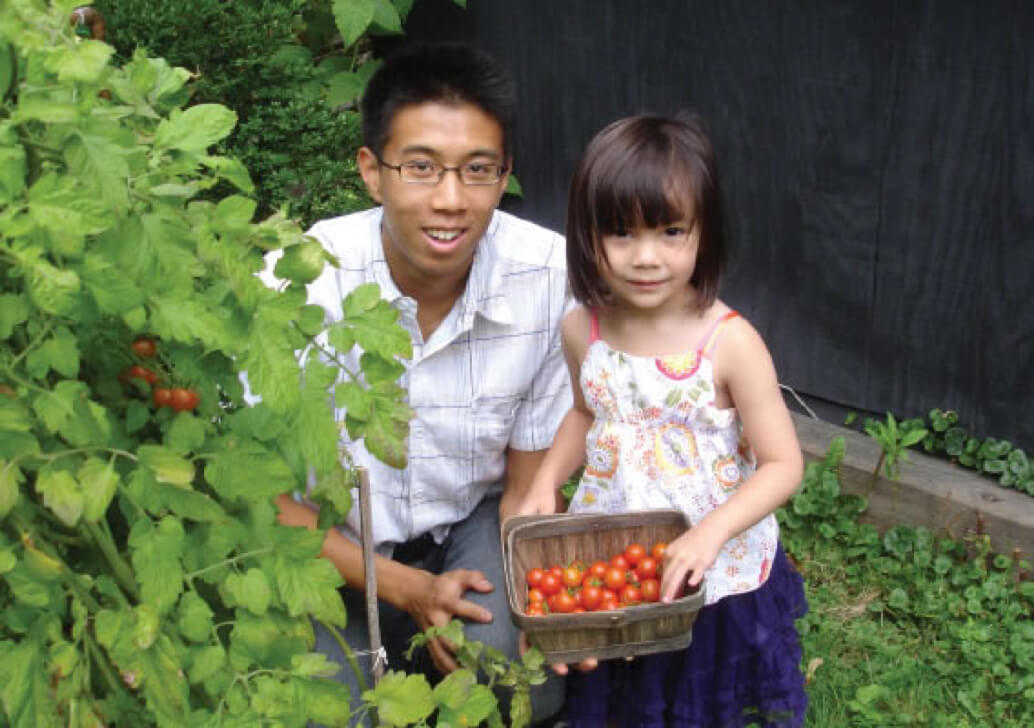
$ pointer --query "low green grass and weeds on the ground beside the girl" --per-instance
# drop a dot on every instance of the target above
(917, 630)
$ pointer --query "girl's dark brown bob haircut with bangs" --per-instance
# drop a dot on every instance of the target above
(645, 172)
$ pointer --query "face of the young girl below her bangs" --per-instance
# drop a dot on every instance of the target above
(650, 268)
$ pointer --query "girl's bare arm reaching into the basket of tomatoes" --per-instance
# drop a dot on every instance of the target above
(744, 370)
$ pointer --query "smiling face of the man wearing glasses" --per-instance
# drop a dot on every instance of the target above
(432, 232)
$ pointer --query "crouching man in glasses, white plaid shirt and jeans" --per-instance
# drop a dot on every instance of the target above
(482, 295)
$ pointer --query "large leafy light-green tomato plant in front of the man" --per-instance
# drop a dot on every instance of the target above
(144, 579)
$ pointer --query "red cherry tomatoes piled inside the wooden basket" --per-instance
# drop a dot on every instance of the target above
(628, 579)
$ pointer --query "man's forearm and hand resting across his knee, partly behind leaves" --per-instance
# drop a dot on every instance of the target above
(432, 600)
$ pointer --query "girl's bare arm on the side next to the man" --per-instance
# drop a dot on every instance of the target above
(568, 451)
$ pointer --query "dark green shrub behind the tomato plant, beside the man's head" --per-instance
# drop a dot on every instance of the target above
(286, 73)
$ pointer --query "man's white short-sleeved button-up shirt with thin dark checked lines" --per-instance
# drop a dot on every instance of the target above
(492, 376)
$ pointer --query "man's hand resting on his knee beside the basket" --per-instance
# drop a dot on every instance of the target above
(438, 599)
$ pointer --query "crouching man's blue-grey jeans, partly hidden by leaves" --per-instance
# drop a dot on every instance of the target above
(471, 544)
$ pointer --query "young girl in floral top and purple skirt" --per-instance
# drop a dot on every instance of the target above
(678, 406)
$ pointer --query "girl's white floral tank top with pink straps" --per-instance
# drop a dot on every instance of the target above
(659, 442)
